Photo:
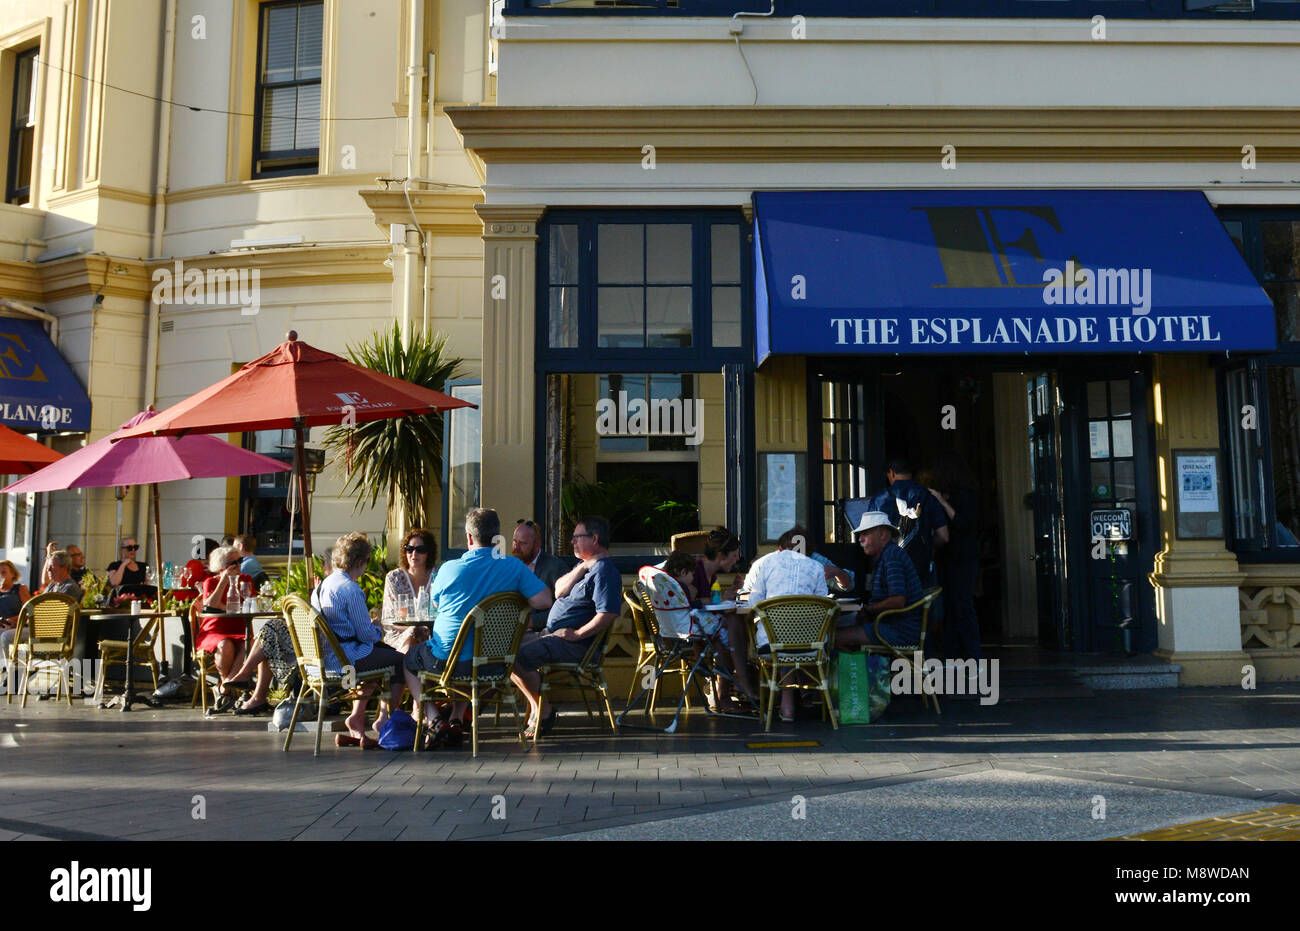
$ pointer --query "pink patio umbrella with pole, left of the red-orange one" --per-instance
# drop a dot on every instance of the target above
(148, 461)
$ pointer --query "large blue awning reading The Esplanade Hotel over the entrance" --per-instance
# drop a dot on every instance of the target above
(956, 272)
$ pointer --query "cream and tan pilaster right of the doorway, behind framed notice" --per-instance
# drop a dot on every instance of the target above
(1197, 581)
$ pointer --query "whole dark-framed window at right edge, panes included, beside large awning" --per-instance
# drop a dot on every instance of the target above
(1260, 399)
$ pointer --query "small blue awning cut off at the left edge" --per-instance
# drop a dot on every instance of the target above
(38, 391)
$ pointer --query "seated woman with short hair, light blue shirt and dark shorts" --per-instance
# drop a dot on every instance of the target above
(343, 603)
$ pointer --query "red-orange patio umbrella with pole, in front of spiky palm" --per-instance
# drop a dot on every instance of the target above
(296, 387)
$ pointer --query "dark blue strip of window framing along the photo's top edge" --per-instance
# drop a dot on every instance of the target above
(1054, 10)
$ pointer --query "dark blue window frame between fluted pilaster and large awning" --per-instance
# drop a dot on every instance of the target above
(591, 360)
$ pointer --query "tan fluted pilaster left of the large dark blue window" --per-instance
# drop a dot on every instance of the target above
(509, 419)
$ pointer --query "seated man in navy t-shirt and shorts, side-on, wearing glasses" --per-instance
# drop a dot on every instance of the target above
(588, 600)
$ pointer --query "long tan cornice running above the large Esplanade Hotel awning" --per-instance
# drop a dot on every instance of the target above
(804, 135)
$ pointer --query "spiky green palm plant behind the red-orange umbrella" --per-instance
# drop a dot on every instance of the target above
(398, 460)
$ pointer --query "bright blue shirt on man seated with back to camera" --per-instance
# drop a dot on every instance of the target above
(463, 583)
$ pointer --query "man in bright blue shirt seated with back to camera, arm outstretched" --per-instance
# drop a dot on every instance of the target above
(460, 586)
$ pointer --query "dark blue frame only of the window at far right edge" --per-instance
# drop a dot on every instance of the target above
(1260, 548)
